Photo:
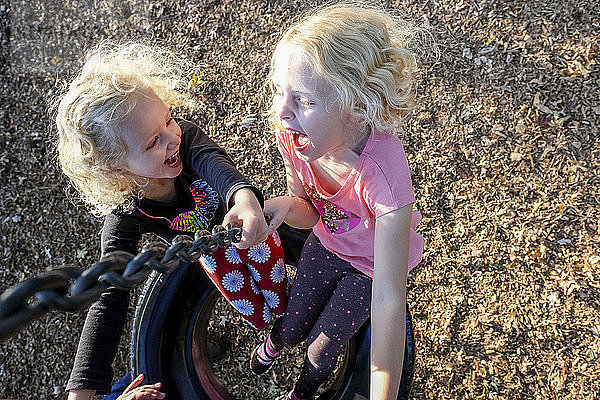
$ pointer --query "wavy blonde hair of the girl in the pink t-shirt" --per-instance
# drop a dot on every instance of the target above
(364, 53)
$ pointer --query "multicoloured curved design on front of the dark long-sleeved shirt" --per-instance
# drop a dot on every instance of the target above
(207, 202)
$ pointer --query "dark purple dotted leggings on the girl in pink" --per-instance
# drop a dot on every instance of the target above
(328, 303)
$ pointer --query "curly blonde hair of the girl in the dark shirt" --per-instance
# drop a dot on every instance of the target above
(91, 112)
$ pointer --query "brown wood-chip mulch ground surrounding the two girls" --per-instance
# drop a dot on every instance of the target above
(503, 146)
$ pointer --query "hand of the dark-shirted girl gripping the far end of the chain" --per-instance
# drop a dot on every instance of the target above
(247, 212)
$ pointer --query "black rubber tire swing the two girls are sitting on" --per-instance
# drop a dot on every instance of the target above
(169, 337)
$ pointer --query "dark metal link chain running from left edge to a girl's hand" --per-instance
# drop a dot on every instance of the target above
(72, 289)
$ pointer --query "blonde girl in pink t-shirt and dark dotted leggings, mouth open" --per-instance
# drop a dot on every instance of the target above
(342, 80)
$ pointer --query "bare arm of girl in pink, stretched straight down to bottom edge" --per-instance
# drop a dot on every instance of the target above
(388, 303)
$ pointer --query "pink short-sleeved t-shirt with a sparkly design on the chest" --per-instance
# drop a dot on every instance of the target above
(379, 183)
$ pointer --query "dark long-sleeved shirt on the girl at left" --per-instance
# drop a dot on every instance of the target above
(204, 164)
